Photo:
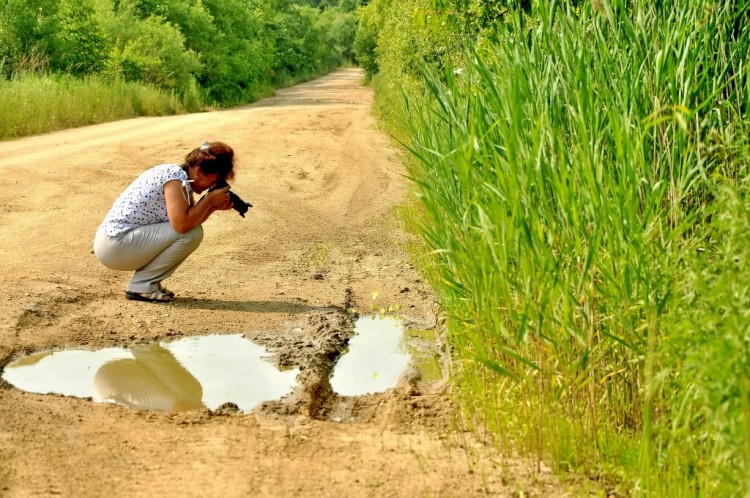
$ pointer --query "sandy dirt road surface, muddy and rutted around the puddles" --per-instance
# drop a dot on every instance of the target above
(321, 239)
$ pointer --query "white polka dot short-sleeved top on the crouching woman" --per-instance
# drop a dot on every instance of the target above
(143, 202)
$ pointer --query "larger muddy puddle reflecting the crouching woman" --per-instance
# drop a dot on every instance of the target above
(188, 373)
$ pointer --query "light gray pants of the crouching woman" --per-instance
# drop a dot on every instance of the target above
(154, 252)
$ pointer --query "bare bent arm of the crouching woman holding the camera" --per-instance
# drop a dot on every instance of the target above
(184, 217)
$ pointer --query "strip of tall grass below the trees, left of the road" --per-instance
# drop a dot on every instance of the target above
(38, 104)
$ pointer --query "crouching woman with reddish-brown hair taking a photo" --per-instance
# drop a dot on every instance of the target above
(155, 224)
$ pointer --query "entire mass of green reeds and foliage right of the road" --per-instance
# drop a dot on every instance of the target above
(569, 167)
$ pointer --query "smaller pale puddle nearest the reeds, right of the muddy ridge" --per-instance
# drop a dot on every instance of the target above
(376, 357)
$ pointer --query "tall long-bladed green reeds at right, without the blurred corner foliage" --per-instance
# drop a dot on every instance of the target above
(566, 182)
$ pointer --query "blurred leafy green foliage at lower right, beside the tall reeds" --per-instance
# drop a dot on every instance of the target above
(704, 361)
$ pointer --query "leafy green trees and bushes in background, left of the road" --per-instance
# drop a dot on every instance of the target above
(225, 52)
